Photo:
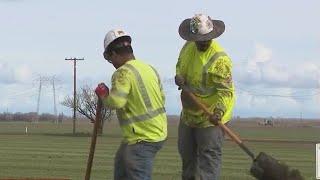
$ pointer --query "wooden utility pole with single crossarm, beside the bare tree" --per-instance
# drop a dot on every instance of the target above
(74, 88)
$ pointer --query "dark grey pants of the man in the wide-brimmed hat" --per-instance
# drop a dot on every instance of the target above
(200, 151)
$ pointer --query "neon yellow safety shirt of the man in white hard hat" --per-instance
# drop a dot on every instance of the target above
(138, 98)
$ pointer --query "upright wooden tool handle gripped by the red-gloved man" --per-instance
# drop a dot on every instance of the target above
(94, 139)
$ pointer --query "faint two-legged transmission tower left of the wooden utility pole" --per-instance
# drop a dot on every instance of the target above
(45, 81)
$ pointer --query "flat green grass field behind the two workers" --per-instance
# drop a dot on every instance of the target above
(49, 150)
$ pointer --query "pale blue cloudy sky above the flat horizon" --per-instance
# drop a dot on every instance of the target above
(274, 46)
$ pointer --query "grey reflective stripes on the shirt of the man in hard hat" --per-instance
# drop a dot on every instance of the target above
(151, 113)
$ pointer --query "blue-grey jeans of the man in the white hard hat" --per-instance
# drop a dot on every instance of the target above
(135, 161)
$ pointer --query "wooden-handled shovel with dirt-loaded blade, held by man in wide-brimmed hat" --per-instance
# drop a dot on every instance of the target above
(264, 167)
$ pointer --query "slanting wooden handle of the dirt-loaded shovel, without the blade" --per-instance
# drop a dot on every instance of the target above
(232, 135)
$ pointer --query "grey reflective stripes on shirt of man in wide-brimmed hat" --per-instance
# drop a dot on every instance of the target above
(204, 90)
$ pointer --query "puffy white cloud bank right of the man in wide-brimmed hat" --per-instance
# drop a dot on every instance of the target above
(264, 70)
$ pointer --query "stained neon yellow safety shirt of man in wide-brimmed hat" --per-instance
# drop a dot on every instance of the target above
(209, 76)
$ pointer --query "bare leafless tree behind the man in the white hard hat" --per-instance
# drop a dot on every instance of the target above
(86, 104)
